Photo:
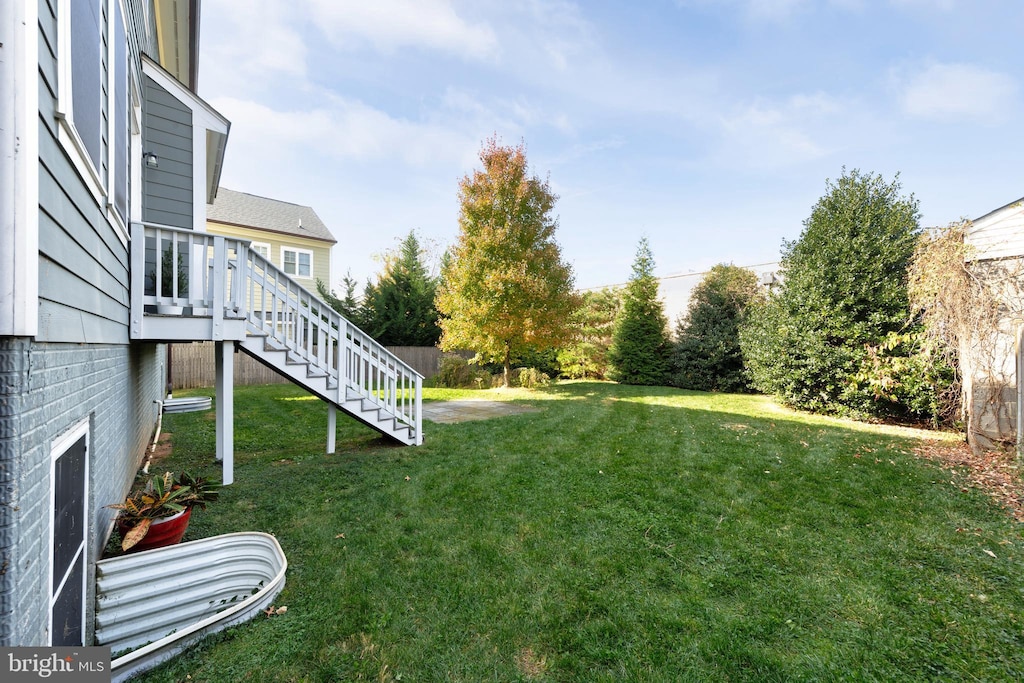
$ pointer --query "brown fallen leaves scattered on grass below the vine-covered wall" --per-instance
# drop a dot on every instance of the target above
(995, 473)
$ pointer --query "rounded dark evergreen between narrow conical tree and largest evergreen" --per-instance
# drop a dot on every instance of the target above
(707, 355)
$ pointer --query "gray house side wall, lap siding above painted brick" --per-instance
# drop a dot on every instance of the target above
(81, 366)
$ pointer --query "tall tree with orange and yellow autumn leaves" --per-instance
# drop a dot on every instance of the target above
(505, 289)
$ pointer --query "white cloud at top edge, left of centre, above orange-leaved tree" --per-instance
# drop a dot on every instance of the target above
(393, 25)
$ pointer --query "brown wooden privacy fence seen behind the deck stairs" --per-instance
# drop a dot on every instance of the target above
(193, 365)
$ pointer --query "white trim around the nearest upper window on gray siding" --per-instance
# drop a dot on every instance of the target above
(67, 133)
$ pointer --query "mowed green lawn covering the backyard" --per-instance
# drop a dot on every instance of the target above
(617, 534)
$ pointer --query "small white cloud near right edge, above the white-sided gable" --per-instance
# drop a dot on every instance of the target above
(959, 93)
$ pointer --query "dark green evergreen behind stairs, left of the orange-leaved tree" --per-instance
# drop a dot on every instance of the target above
(399, 309)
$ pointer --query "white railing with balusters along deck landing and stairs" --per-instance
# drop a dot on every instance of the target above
(208, 276)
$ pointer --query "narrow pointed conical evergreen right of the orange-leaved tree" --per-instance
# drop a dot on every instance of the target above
(641, 351)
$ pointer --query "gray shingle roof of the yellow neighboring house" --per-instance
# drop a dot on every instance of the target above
(247, 210)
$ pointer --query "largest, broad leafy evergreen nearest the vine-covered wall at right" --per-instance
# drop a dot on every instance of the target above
(844, 291)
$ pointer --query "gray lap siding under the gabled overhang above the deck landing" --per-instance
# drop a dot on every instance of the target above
(167, 132)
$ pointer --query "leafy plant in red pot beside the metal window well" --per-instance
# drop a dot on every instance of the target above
(158, 514)
